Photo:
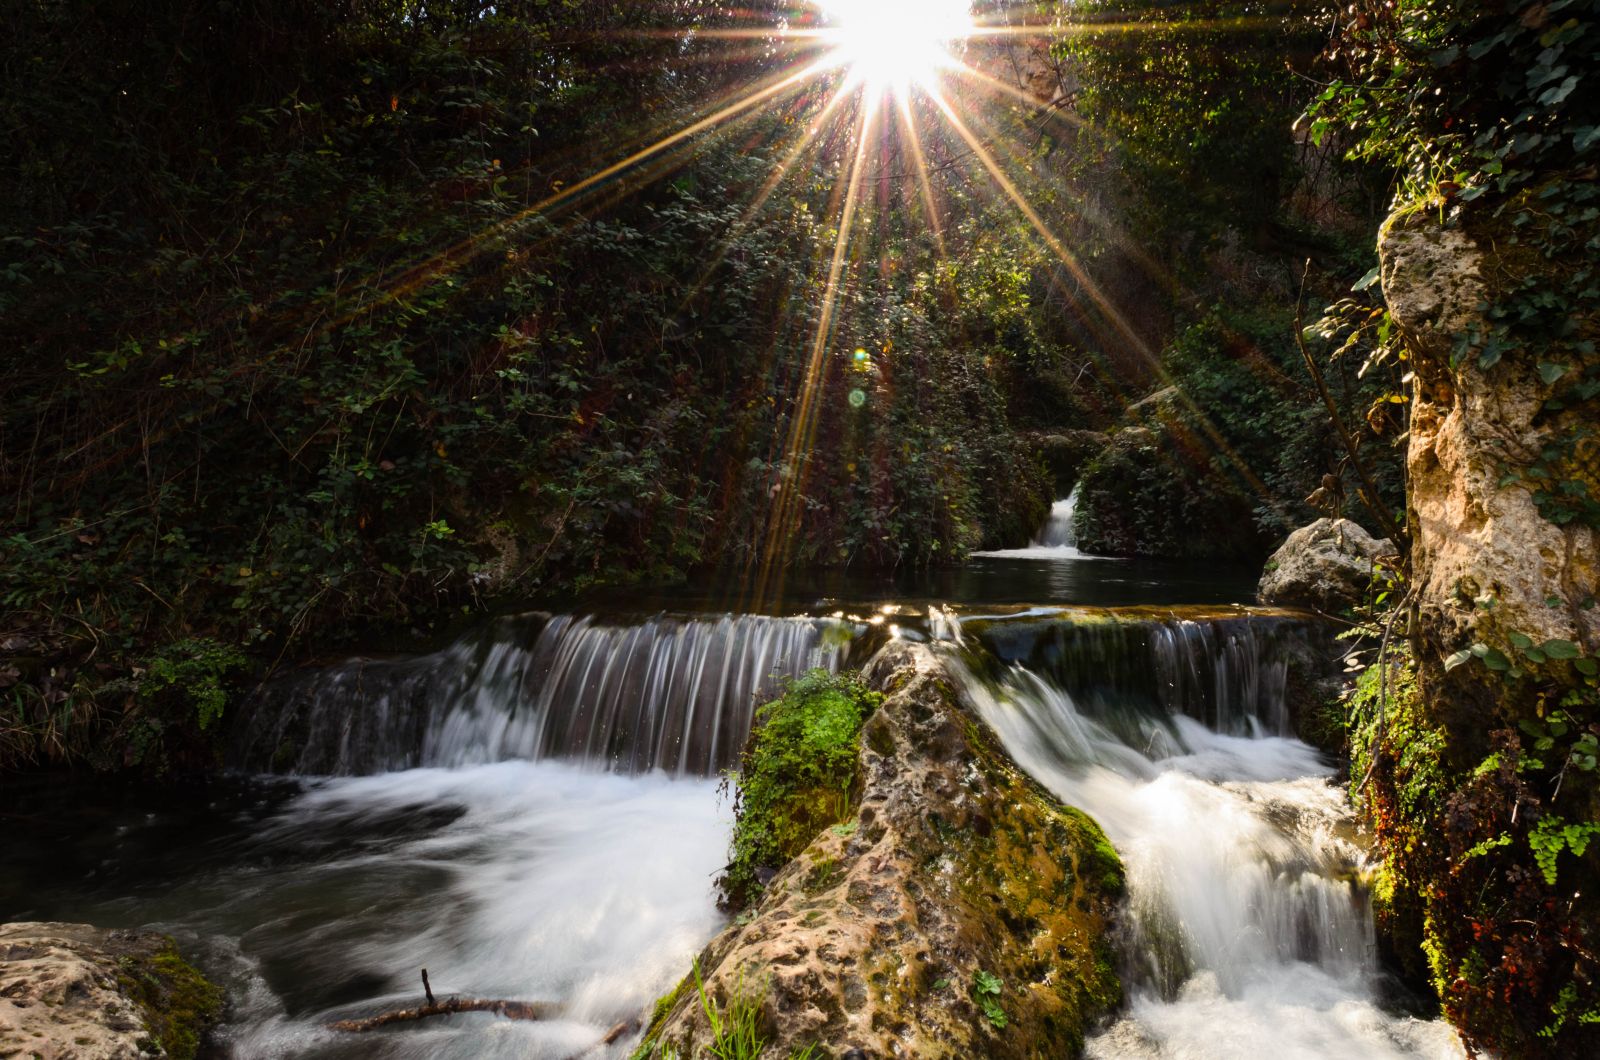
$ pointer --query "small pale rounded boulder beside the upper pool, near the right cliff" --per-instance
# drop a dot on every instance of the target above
(1327, 566)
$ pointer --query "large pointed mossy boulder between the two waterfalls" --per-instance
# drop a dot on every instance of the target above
(958, 912)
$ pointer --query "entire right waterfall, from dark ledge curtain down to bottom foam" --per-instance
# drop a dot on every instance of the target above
(1249, 931)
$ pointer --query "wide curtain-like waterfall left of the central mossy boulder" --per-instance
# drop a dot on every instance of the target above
(670, 693)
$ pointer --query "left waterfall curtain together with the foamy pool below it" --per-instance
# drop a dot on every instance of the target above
(470, 849)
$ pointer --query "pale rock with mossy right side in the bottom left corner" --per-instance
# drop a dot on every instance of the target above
(73, 992)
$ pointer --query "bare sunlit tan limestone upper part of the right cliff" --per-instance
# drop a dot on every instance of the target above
(1484, 561)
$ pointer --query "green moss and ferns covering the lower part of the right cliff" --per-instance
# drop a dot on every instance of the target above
(1484, 864)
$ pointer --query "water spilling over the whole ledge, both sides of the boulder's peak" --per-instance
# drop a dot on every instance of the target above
(679, 693)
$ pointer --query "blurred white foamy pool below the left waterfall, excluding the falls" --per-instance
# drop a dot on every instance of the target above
(518, 880)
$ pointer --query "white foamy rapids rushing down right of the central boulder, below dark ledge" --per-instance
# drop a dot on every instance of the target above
(1249, 934)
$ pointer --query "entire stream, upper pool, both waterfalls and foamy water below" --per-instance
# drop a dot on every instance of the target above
(532, 813)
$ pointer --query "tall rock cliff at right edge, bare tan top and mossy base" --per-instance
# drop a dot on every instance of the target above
(1478, 755)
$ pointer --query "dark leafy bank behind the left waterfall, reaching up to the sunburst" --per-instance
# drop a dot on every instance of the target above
(297, 343)
